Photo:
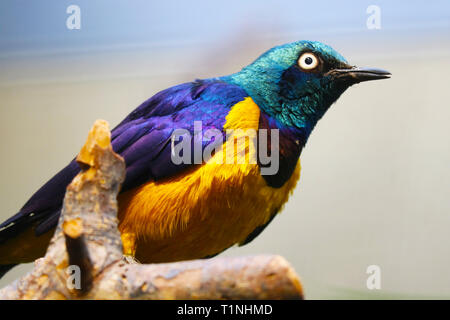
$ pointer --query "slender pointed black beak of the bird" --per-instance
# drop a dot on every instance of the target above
(356, 75)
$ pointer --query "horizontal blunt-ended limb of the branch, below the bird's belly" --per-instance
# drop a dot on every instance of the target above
(254, 277)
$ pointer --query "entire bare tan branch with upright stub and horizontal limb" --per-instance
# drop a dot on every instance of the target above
(87, 236)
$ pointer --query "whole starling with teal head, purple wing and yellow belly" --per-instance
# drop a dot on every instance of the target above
(171, 210)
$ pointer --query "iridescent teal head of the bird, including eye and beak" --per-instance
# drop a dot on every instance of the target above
(297, 82)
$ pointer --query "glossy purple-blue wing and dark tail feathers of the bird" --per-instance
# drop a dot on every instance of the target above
(143, 139)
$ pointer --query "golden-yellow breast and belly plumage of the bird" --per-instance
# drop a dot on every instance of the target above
(206, 210)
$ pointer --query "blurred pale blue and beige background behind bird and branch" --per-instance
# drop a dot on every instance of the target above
(375, 185)
